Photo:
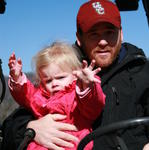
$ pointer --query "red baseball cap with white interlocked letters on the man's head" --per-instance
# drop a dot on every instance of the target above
(95, 11)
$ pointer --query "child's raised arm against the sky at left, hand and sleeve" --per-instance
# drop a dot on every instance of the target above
(20, 87)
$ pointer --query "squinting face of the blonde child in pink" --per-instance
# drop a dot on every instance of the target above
(54, 78)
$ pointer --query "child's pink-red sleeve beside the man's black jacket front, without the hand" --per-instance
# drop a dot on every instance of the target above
(92, 103)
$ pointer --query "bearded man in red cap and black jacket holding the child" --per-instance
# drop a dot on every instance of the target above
(124, 79)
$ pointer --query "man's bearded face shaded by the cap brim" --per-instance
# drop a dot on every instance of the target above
(102, 43)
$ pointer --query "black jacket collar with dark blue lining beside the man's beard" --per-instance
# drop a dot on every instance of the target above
(128, 54)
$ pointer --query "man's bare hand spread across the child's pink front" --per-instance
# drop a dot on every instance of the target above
(51, 134)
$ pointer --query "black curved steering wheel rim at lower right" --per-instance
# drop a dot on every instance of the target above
(112, 128)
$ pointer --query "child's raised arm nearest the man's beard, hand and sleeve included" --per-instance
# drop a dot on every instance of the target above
(91, 98)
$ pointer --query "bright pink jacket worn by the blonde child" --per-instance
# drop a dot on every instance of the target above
(81, 108)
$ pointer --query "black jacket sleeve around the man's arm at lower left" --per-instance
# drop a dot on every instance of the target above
(13, 128)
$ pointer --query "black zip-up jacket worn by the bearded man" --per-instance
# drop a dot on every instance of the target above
(126, 86)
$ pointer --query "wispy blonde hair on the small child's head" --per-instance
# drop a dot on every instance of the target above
(59, 53)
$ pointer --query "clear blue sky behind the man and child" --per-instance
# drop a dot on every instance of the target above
(28, 25)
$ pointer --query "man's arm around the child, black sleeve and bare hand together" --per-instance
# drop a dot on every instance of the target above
(50, 133)
